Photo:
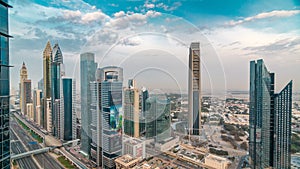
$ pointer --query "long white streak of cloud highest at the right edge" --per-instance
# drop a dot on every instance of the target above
(264, 15)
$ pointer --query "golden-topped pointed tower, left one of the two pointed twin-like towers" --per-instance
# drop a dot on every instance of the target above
(47, 115)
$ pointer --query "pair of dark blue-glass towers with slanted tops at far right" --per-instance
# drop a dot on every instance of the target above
(268, 127)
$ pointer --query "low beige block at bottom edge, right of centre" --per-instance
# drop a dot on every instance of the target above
(217, 162)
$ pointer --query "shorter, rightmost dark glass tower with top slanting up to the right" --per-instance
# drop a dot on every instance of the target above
(282, 128)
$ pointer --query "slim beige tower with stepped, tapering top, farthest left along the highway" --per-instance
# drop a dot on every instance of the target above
(23, 77)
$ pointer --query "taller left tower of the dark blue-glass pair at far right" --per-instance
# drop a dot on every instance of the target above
(261, 91)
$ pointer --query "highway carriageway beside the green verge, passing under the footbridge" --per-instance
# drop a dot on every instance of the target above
(44, 160)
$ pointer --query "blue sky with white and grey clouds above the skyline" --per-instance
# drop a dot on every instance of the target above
(231, 32)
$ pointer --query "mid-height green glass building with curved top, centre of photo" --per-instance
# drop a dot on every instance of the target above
(157, 118)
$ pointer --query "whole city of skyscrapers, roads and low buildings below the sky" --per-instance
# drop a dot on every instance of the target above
(114, 124)
